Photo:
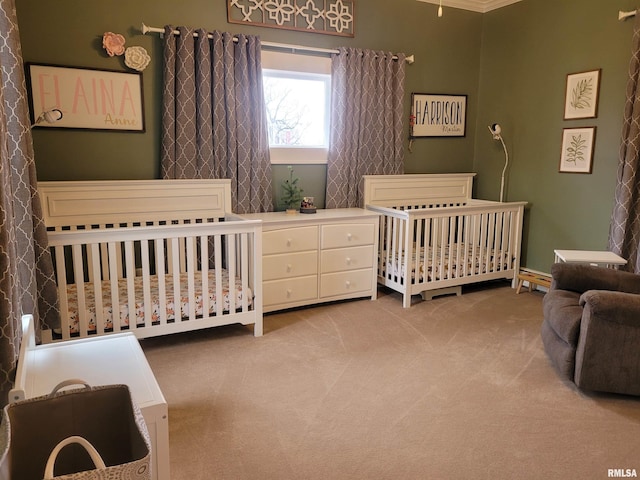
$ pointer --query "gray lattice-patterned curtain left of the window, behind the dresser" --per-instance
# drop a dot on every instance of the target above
(214, 120)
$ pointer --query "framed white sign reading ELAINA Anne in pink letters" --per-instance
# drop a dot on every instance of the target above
(88, 98)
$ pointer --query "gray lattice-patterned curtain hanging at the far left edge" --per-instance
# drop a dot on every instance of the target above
(27, 283)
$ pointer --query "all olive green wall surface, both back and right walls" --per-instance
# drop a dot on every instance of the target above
(511, 62)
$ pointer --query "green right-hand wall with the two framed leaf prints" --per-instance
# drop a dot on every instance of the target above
(527, 51)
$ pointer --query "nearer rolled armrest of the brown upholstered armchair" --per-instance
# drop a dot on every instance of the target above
(614, 307)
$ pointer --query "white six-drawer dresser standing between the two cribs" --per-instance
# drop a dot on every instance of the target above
(312, 258)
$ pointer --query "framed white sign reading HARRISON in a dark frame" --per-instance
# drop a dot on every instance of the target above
(434, 115)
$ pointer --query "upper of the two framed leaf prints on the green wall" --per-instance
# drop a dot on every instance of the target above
(581, 98)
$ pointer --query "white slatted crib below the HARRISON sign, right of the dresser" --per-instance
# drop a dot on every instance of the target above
(434, 237)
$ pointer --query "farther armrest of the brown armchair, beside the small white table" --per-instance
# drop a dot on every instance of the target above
(581, 278)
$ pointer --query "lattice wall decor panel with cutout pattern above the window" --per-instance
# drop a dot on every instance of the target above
(333, 17)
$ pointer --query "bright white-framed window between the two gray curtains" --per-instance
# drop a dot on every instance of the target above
(297, 98)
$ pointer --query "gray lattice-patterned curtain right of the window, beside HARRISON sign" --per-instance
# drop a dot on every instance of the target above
(366, 122)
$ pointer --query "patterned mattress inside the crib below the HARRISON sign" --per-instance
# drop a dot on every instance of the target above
(448, 268)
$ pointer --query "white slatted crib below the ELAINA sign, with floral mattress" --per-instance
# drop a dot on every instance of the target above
(152, 257)
